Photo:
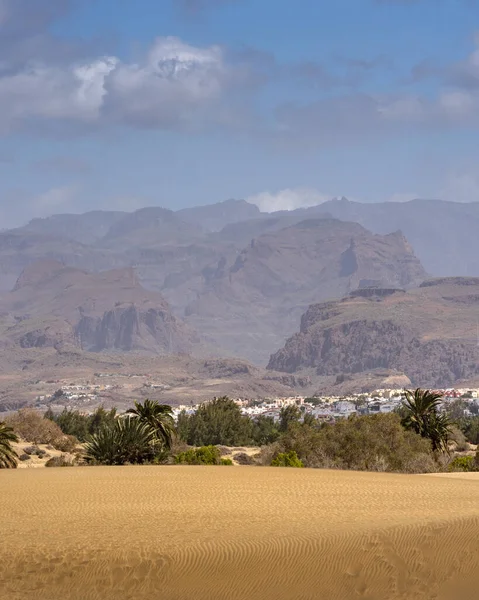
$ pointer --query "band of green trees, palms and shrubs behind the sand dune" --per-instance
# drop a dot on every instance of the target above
(417, 438)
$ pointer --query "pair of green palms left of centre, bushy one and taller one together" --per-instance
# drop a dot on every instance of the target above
(143, 435)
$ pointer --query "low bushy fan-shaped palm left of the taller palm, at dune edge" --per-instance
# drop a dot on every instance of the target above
(127, 441)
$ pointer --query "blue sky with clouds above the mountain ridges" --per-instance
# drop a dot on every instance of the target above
(118, 104)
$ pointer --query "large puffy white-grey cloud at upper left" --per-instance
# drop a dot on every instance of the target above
(174, 84)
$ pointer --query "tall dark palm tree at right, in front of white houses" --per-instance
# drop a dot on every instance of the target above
(422, 416)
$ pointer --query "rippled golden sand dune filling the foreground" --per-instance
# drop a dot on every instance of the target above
(131, 533)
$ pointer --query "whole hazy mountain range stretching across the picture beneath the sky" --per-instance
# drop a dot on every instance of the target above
(229, 280)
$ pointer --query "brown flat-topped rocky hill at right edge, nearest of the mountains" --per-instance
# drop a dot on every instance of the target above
(427, 333)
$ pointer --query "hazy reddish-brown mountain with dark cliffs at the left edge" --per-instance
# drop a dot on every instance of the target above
(52, 305)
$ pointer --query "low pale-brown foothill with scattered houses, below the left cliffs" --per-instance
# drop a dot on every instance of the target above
(116, 379)
